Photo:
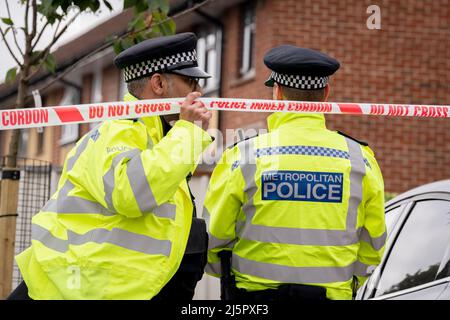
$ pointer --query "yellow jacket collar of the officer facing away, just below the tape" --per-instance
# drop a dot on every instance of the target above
(303, 120)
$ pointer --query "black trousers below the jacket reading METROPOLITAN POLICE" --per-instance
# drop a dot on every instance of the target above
(284, 293)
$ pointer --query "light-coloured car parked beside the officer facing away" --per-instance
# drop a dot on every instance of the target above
(416, 263)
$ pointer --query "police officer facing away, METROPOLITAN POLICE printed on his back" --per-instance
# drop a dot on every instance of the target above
(300, 208)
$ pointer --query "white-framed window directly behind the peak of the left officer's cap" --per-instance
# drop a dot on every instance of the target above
(209, 58)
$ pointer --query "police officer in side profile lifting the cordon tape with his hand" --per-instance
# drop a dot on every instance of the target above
(118, 225)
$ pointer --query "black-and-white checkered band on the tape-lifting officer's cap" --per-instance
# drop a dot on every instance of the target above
(144, 68)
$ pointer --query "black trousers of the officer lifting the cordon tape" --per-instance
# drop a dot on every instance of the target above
(182, 285)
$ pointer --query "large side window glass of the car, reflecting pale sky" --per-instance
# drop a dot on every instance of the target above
(419, 248)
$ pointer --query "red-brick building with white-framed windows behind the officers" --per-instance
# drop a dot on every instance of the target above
(406, 61)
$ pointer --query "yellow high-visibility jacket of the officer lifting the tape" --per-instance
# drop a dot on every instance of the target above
(117, 227)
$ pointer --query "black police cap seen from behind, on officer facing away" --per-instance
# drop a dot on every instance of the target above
(299, 68)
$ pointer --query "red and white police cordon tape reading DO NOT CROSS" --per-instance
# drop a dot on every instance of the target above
(95, 112)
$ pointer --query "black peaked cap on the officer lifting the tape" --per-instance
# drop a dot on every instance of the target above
(172, 54)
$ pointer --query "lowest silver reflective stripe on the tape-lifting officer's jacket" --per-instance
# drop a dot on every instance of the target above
(122, 238)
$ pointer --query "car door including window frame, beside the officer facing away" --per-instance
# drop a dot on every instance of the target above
(417, 265)
